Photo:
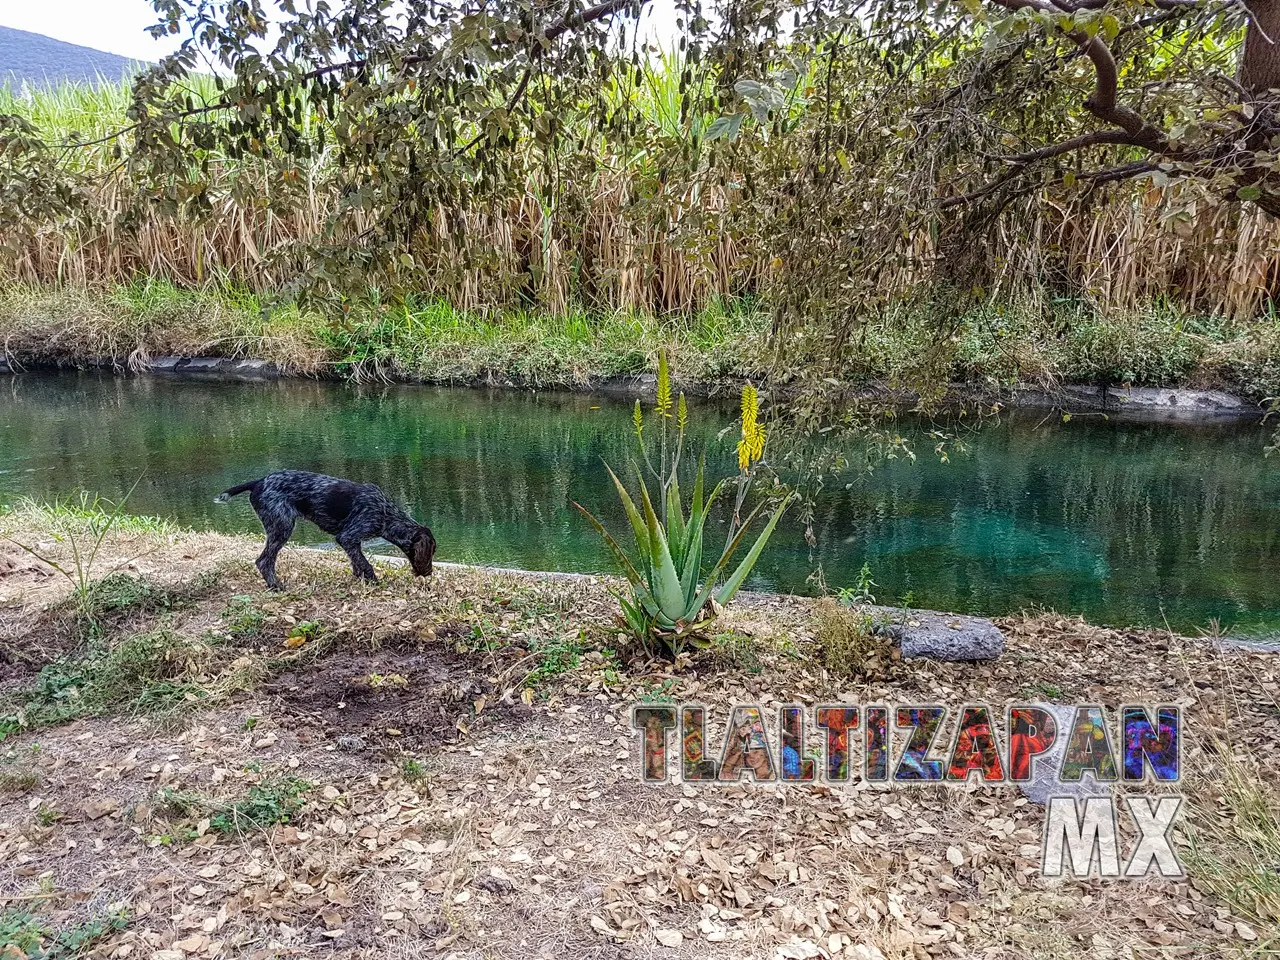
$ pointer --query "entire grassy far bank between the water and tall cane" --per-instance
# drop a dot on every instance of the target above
(1067, 342)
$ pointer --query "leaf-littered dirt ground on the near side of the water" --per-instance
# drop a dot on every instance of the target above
(473, 783)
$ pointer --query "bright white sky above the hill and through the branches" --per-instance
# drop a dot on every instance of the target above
(120, 26)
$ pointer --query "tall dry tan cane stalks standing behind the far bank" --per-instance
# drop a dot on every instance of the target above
(611, 236)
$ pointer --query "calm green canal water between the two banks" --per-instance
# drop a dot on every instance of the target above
(1126, 523)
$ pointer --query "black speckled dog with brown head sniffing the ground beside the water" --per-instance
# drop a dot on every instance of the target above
(353, 513)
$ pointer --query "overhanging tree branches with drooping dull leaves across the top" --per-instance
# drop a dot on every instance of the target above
(866, 148)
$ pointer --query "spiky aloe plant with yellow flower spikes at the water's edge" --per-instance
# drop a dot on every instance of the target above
(671, 598)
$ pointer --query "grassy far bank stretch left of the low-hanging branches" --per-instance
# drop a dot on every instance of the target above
(426, 341)
